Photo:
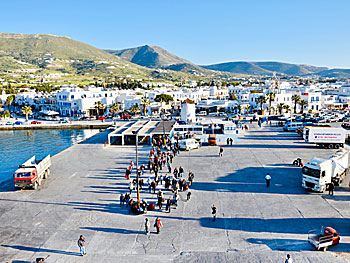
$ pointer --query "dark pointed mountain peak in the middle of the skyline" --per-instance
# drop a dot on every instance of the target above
(156, 57)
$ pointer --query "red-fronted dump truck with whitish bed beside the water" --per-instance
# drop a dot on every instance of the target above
(31, 173)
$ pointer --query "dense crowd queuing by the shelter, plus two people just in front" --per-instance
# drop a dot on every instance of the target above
(158, 177)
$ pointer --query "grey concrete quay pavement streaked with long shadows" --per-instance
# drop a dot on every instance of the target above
(254, 223)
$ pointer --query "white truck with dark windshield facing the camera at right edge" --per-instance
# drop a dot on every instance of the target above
(318, 173)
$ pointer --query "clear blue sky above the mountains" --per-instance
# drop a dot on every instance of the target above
(204, 32)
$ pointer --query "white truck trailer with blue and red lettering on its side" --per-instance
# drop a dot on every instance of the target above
(332, 138)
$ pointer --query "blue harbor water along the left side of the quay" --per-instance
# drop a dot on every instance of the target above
(16, 146)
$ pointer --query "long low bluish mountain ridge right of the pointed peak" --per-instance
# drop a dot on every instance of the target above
(266, 68)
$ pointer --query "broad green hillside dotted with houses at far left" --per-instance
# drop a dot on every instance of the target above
(31, 53)
